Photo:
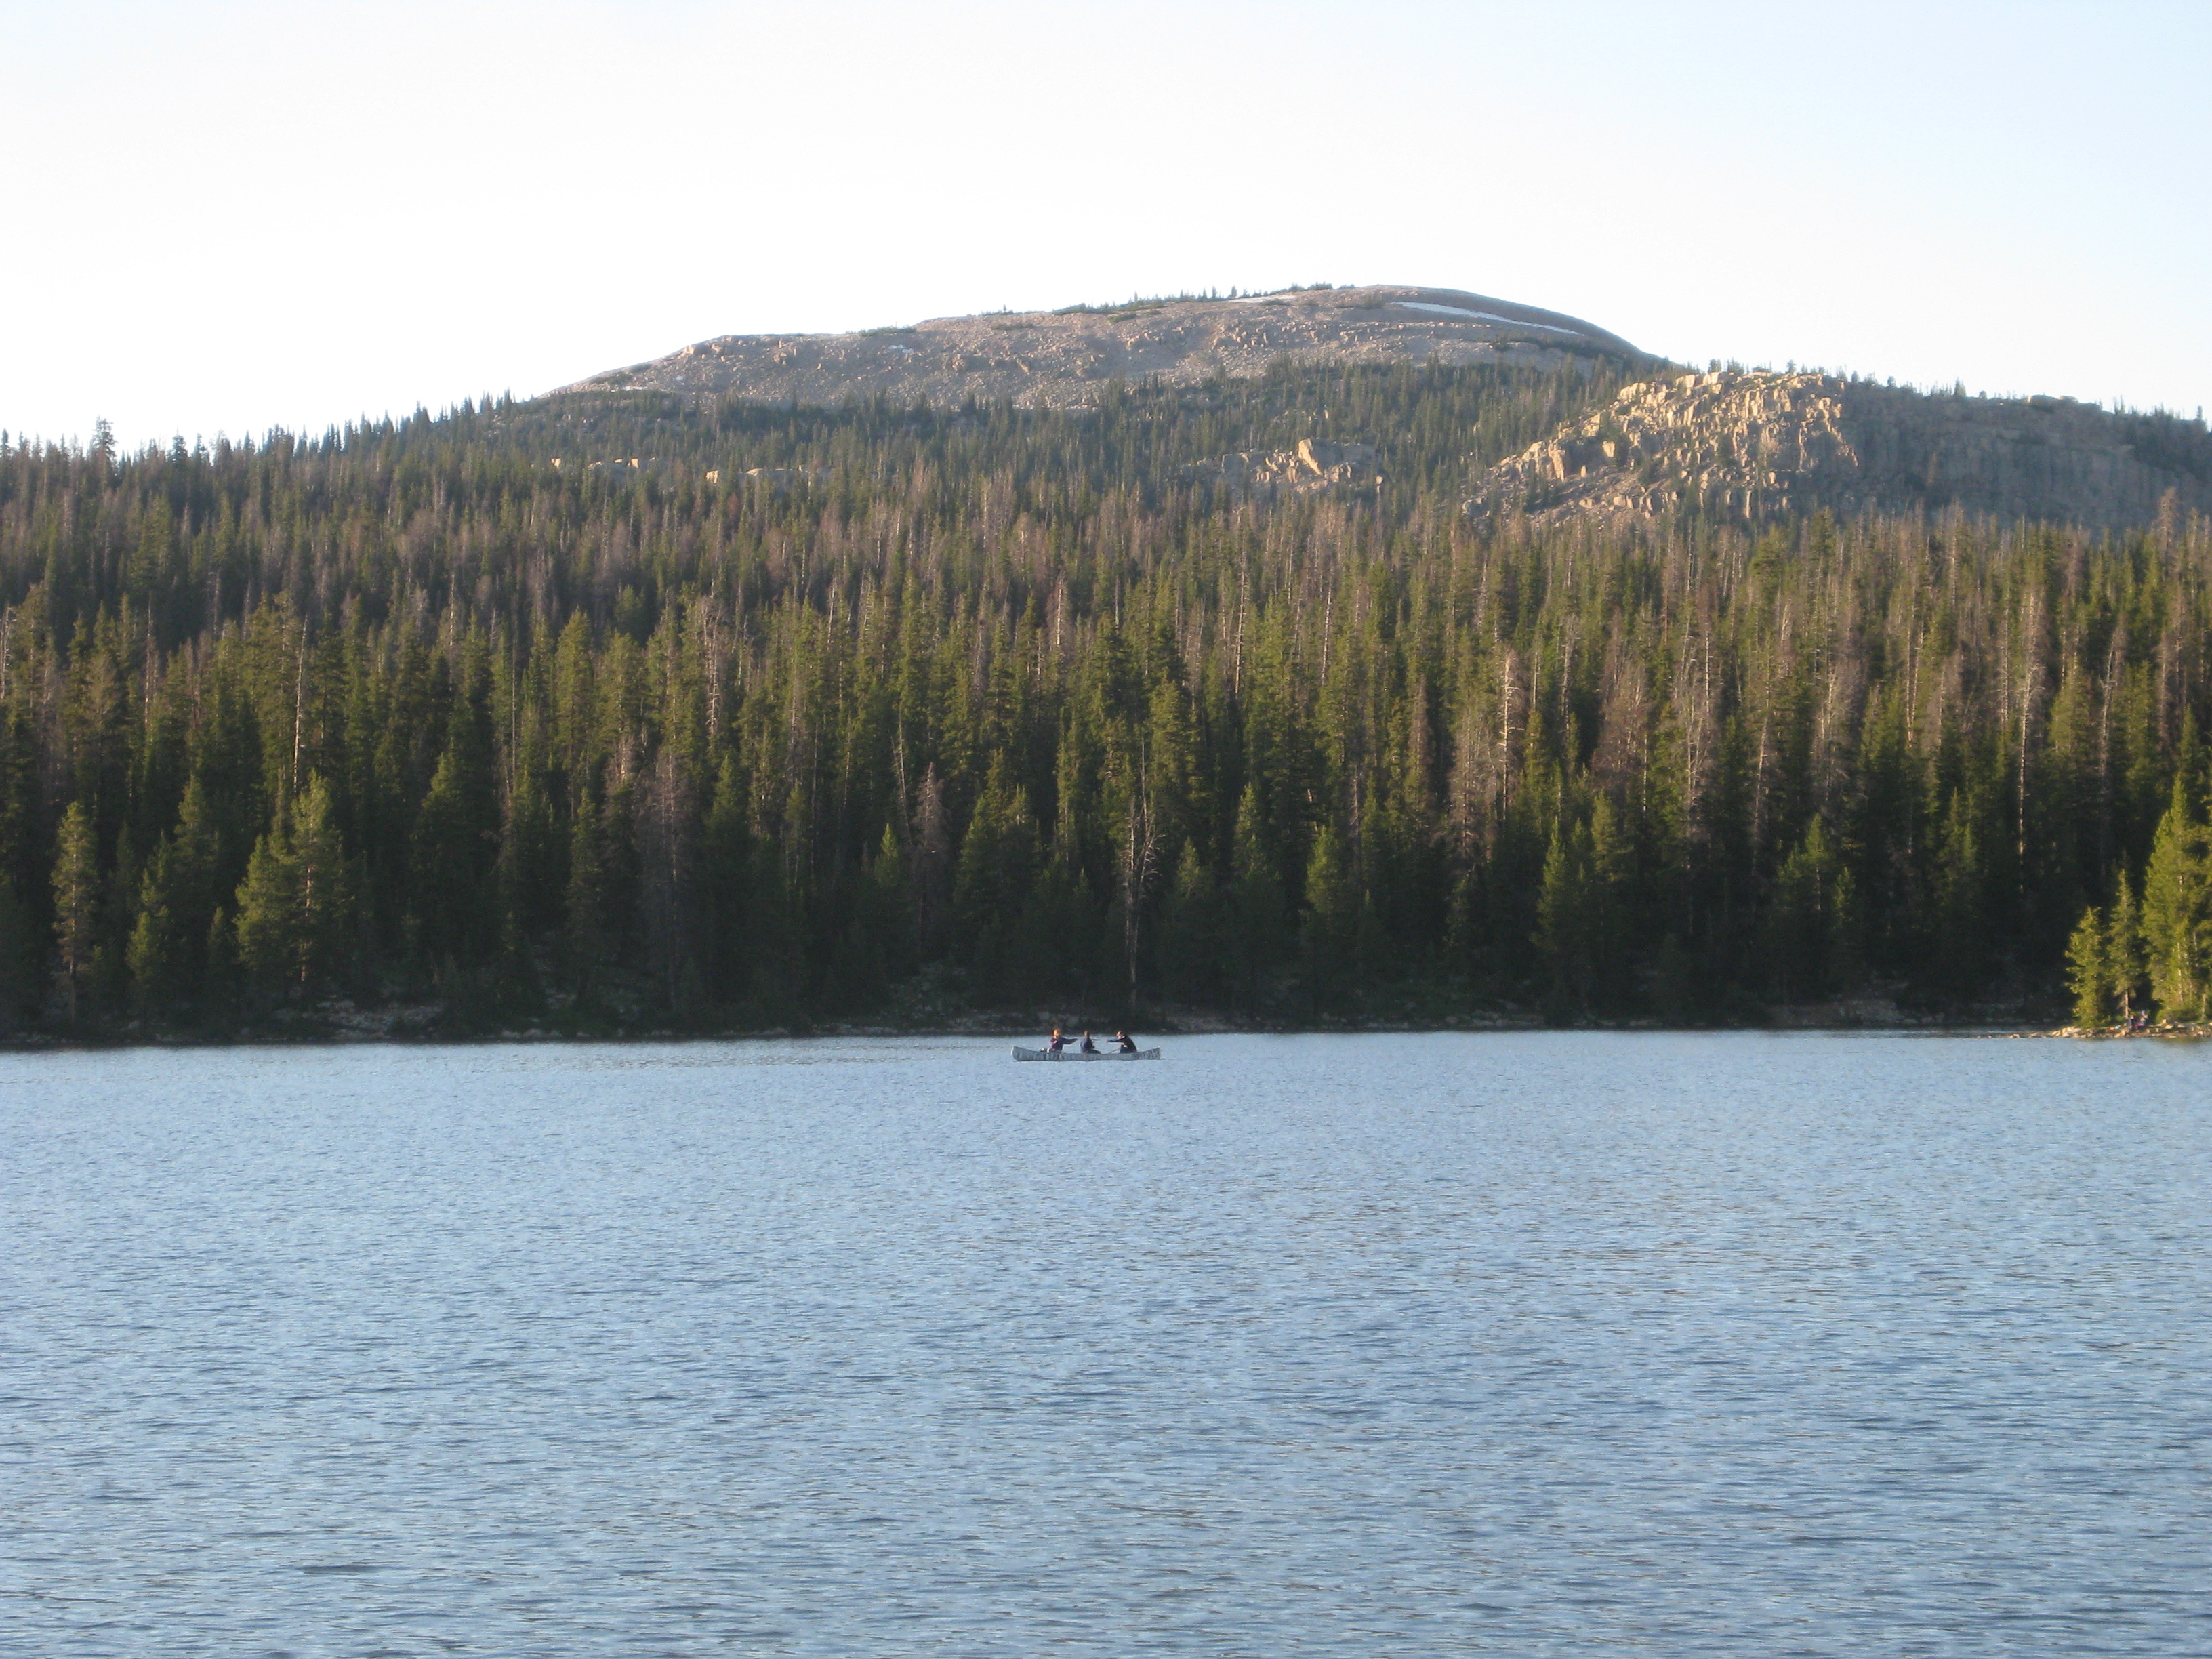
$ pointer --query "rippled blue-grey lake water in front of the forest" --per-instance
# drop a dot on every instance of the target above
(1284, 1346)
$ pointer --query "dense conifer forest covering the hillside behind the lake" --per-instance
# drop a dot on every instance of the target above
(988, 709)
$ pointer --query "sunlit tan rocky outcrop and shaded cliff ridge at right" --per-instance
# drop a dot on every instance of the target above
(1755, 444)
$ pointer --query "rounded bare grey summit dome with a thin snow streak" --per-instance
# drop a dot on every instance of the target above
(1061, 359)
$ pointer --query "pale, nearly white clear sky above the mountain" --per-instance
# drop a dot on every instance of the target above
(233, 218)
